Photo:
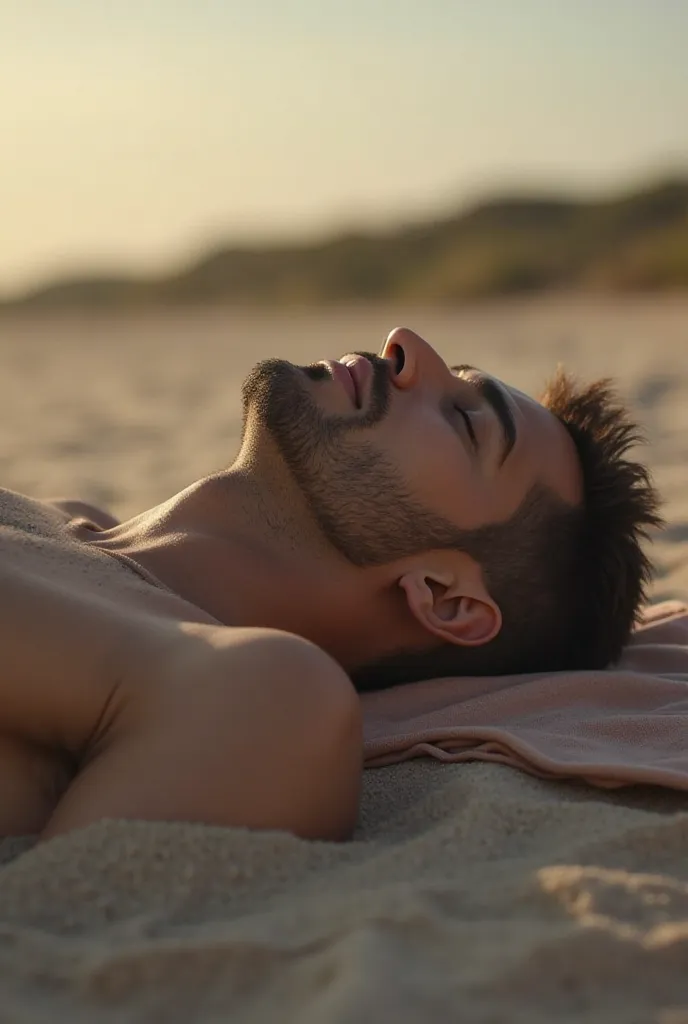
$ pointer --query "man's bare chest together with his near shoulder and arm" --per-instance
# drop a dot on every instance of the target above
(120, 700)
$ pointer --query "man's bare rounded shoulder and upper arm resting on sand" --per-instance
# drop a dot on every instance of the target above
(260, 730)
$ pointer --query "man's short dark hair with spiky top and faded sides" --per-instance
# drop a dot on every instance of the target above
(569, 580)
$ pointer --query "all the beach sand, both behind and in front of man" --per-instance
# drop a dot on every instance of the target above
(470, 892)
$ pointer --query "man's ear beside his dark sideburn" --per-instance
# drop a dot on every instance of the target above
(457, 611)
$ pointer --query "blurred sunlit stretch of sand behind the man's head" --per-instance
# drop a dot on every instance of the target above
(127, 411)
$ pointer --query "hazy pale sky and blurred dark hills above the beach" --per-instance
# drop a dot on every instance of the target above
(303, 151)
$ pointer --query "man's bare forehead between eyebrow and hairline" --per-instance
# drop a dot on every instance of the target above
(545, 448)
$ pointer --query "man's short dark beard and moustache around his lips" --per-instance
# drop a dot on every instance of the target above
(357, 496)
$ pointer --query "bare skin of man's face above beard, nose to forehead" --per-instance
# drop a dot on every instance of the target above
(428, 438)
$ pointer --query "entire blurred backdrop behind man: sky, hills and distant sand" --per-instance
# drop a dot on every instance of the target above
(190, 186)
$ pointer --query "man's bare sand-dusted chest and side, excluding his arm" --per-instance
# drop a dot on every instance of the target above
(74, 624)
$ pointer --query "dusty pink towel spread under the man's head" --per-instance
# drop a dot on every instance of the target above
(622, 727)
